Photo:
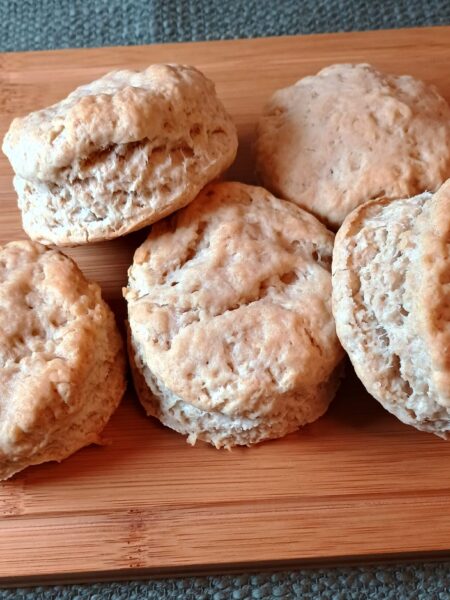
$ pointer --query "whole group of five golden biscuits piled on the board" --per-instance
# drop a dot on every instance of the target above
(241, 301)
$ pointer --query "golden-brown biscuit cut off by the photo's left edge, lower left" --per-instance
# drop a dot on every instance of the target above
(62, 364)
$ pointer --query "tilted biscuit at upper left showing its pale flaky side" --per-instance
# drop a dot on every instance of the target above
(118, 154)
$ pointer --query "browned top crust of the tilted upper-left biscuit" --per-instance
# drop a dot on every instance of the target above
(121, 107)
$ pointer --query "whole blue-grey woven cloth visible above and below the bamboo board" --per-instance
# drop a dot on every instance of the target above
(39, 24)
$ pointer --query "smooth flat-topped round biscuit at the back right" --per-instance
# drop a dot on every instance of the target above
(350, 134)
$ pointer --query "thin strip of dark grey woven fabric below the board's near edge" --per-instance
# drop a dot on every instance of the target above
(426, 582)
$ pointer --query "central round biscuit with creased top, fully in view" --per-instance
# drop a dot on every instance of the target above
(229, 305)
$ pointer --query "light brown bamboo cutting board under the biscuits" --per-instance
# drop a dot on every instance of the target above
(356, 485)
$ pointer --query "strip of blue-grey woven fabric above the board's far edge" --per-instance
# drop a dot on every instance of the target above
(36, 24)
